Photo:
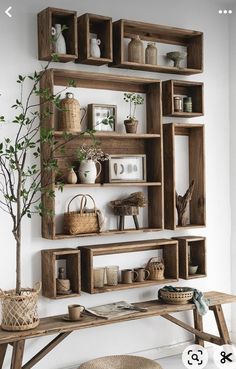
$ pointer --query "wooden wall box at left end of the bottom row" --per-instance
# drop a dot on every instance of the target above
(50, 273)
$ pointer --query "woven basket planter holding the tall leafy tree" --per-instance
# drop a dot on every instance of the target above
(20, 312)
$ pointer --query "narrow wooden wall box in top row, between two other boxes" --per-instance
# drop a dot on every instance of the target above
(102, 27)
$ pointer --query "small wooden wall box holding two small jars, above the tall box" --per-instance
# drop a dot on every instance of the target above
(183, 88)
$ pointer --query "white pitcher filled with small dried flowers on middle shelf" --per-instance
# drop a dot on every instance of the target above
(89, 156)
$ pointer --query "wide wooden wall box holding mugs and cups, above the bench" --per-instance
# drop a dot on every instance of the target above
(170, 255)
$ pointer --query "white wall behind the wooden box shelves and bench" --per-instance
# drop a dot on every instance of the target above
(18, 40)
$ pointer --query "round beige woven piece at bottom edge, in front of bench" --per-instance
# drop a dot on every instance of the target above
(120, 362)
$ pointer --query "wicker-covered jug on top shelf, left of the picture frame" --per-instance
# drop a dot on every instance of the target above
(70, 114)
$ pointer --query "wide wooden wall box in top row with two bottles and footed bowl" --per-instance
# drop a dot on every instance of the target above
(191, 40)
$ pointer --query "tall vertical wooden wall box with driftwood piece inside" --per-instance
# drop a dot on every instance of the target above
(195, 134)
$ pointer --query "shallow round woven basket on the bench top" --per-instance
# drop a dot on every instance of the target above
(183, 296)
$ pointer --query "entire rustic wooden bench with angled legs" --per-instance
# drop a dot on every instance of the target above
(55, 324)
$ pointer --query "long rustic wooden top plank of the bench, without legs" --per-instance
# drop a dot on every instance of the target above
(56, 324)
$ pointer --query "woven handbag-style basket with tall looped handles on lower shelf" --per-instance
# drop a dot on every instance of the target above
(79, 222)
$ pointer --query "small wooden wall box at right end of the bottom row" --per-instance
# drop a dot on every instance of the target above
(195, 247)
